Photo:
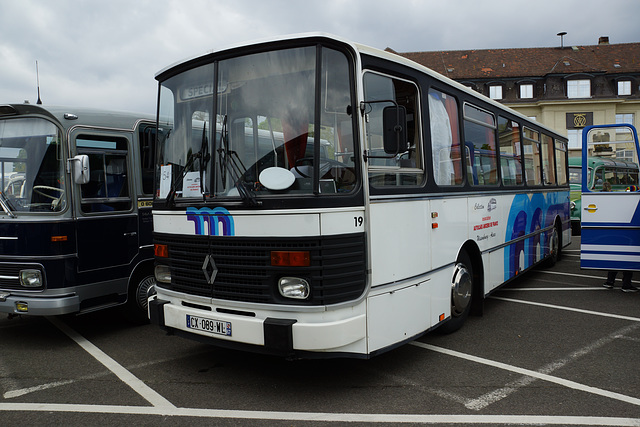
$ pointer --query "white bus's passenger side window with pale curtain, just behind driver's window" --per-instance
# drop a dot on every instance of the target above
(445, 138)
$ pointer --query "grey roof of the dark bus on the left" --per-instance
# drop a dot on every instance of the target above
(73, 116)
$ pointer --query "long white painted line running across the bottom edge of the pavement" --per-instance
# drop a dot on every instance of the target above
(326, 417)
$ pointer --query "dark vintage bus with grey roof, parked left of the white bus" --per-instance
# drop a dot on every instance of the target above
(76, 189)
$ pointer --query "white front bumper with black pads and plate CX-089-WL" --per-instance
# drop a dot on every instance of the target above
(274, 334)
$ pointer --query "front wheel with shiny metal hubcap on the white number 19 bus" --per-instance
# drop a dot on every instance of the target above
(461, 294)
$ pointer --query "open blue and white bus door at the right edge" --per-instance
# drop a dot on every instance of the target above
(610, 219)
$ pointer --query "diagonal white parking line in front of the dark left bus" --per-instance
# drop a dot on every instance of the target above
(127, 377)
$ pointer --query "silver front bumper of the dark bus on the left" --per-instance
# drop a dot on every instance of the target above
(38, 306)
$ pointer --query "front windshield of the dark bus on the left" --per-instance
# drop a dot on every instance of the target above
(31, 167)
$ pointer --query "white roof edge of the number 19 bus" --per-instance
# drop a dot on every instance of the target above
(361, 49)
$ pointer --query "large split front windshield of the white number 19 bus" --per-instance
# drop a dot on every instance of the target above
(271, 124)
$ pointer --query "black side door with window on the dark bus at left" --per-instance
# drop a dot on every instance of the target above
(107, 226)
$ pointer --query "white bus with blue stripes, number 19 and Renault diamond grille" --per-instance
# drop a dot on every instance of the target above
(320, 198)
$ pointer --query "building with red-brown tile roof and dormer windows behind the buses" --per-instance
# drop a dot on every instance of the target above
(598, 83)
